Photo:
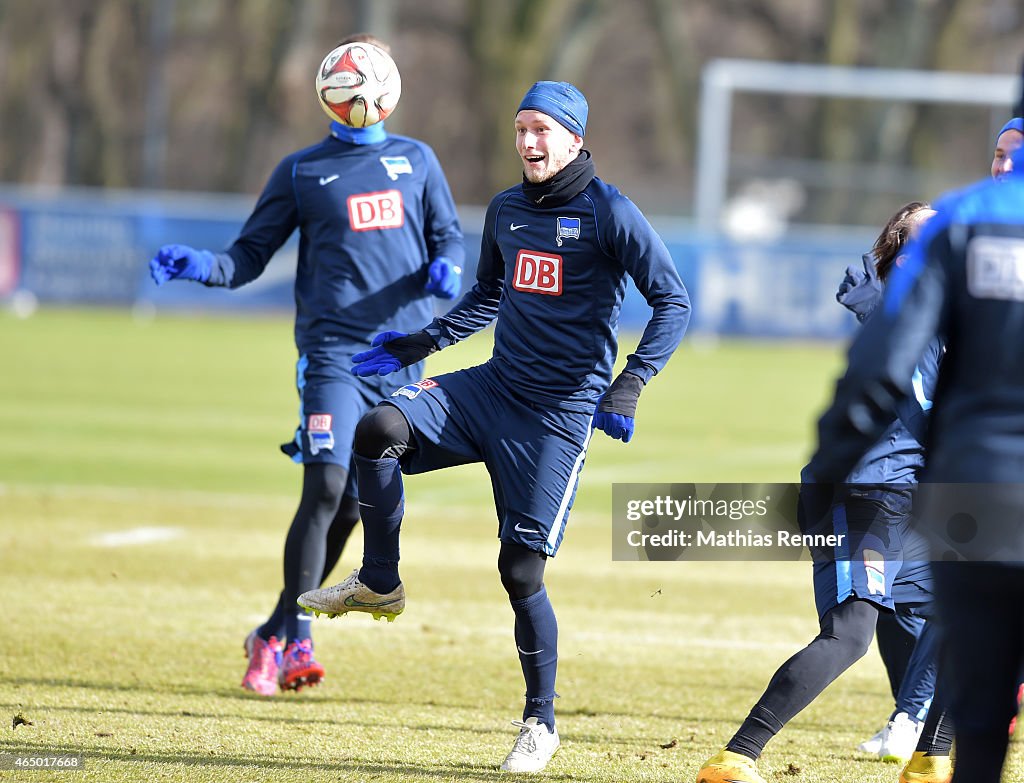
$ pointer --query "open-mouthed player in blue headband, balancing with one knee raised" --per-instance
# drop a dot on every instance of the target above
(554, 258)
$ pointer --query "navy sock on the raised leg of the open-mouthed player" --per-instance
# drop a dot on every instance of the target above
(382, 504)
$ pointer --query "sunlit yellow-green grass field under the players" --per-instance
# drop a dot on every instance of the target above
(130, 651)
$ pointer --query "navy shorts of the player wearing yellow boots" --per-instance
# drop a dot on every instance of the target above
(880, 559)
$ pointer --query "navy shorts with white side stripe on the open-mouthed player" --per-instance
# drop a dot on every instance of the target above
(534, 455)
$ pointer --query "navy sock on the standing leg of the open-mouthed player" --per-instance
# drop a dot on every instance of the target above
(537, 640)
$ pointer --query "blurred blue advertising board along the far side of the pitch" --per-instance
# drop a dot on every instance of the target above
(93, 247)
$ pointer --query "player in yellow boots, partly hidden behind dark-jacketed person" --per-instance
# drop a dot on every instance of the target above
(878, 571)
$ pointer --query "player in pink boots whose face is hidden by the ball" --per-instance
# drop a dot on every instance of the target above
(378, 237)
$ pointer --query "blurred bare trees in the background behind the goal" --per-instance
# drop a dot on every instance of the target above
(229, 88)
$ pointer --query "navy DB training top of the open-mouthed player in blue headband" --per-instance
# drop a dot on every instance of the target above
(556, 278)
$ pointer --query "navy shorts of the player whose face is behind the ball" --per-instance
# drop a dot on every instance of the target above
(331, 403)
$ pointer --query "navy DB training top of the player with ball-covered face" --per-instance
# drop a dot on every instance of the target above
(371, 219)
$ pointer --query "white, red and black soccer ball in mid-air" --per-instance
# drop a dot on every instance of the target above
(359, 84)
